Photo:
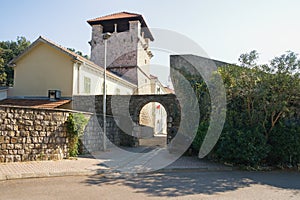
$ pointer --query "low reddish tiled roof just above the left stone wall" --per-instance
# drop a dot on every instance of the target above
(34, 103)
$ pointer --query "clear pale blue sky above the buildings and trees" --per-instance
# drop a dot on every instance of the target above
(223, 28)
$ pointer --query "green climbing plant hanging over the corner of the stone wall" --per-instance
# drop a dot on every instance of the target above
(75, 127)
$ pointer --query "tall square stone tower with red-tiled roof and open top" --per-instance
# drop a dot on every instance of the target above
(128, 53)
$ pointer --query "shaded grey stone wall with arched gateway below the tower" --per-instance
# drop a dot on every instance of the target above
(123, 112)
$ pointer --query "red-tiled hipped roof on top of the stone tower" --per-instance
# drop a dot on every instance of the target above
(124, 17)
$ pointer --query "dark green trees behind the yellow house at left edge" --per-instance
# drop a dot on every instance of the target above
(9, 50)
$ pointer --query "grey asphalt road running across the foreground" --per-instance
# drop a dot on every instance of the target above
(193, 185)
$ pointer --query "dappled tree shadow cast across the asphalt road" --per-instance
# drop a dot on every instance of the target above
(180, 184)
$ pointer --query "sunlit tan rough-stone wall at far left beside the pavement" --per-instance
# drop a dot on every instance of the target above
(28, 134)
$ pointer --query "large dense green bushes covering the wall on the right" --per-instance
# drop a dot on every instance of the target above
(263, 112)
